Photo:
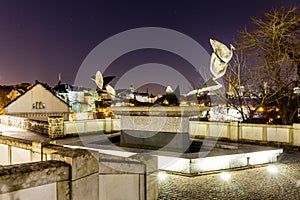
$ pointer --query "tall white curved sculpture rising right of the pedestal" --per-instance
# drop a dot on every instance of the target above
(220, 58)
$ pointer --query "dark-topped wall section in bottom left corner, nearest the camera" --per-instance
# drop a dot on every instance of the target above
(35, 181)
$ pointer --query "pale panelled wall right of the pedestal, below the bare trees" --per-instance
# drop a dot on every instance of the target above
(234, 131)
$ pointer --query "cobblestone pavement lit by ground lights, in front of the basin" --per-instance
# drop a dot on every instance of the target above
(255, 183)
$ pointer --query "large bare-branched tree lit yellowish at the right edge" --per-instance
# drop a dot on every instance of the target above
(272, 49)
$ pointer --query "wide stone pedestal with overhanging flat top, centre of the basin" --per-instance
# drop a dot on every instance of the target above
(156, 127)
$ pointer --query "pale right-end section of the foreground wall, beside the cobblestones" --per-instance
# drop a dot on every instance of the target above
(121, 178)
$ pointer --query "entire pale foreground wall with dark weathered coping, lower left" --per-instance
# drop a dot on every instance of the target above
(65, 173)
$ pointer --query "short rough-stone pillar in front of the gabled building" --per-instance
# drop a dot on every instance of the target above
(56, 127)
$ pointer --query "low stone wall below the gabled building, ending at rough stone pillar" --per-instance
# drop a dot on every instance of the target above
(24, 123)
